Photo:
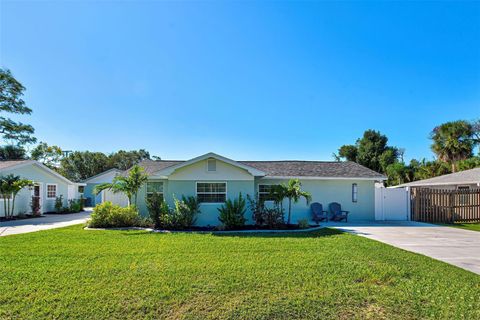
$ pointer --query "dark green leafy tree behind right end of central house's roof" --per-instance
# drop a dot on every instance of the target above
(371, 151)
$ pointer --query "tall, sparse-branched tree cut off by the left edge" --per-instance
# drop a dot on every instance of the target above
(11, 92)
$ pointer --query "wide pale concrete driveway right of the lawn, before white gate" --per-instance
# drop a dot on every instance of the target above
(452, 245)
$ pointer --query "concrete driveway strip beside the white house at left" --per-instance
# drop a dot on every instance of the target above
(50, 221)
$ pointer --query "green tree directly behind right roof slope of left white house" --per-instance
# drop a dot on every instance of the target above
(80, 165)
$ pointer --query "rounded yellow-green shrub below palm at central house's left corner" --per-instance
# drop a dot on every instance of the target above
(108, 215)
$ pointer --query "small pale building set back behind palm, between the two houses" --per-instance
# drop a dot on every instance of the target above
(104, 177)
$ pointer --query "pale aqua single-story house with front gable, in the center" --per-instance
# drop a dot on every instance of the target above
(213, 178)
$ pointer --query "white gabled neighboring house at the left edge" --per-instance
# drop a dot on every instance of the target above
(48, 185)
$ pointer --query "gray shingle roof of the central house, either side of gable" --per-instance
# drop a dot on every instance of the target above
(289, 168)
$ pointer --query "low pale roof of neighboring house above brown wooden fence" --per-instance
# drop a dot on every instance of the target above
(463, 180)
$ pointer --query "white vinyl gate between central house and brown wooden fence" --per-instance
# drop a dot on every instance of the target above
(392, 204)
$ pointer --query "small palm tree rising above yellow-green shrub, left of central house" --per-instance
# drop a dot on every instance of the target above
(128, 185)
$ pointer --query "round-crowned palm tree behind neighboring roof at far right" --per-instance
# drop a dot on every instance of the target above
(453, 141)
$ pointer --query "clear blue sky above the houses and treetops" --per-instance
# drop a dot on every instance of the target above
(251, 80)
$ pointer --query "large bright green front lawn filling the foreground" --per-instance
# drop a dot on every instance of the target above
(77, 274)
